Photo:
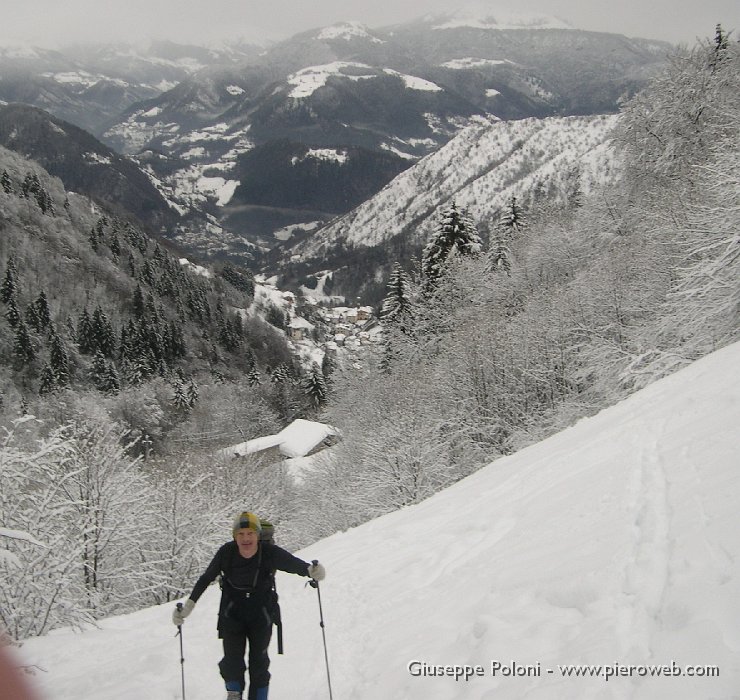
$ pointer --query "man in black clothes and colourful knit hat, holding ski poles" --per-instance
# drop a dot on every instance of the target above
(248, 603)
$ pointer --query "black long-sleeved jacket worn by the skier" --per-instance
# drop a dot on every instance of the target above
(247, 584)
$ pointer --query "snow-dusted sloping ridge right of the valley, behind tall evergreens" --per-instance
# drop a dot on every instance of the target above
(480, 170)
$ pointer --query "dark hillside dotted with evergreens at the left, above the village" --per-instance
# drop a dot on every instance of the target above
(91, 302)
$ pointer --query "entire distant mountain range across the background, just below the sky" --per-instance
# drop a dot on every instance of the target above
(262, 144)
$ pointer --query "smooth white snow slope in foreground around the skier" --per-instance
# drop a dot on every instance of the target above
(614, 541)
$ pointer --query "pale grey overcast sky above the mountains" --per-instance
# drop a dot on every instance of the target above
(55, 22)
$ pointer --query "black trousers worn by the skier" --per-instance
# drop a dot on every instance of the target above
(257, 633)
